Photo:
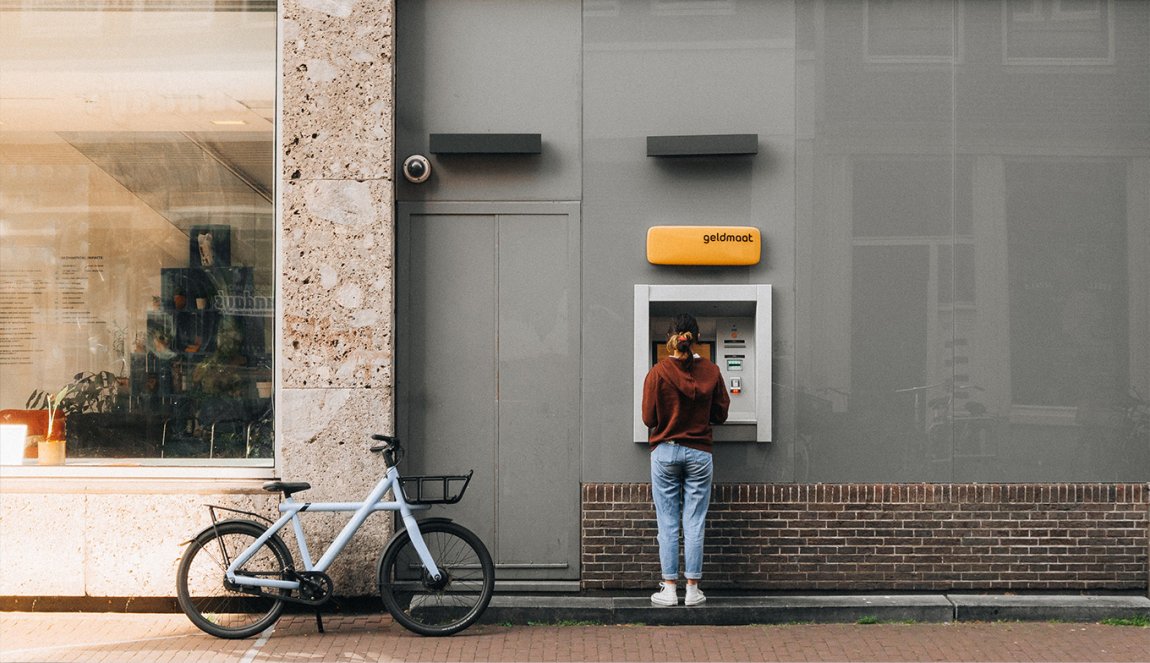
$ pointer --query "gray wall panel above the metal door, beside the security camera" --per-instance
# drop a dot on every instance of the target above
(497, 67)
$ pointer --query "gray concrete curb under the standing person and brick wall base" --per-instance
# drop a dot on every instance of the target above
(741, 611)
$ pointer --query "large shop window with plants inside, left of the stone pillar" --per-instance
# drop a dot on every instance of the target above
(137, 153)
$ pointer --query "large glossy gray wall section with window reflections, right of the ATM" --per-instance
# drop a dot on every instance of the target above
(978, 310)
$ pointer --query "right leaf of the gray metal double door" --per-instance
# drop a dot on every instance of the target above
(540, 345)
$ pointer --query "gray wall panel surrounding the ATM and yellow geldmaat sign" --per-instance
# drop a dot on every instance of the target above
(654, 73)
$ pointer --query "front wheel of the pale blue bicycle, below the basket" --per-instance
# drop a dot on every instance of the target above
(442, 607)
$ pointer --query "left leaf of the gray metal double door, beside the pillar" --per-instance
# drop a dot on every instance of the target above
(447, 366)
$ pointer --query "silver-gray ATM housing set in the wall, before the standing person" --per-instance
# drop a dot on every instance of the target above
(735, 321)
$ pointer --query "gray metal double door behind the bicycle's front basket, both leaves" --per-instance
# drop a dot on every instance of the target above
(488, 360)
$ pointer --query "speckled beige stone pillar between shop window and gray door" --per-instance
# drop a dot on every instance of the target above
(338, 253)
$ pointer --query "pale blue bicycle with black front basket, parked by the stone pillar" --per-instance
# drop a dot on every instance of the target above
(435, 576)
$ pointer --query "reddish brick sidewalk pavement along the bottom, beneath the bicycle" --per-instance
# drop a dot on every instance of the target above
(120, 638)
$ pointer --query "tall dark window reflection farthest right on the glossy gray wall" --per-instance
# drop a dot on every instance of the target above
(1067, 234)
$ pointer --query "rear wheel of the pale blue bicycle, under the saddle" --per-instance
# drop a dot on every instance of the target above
(206, 598)
